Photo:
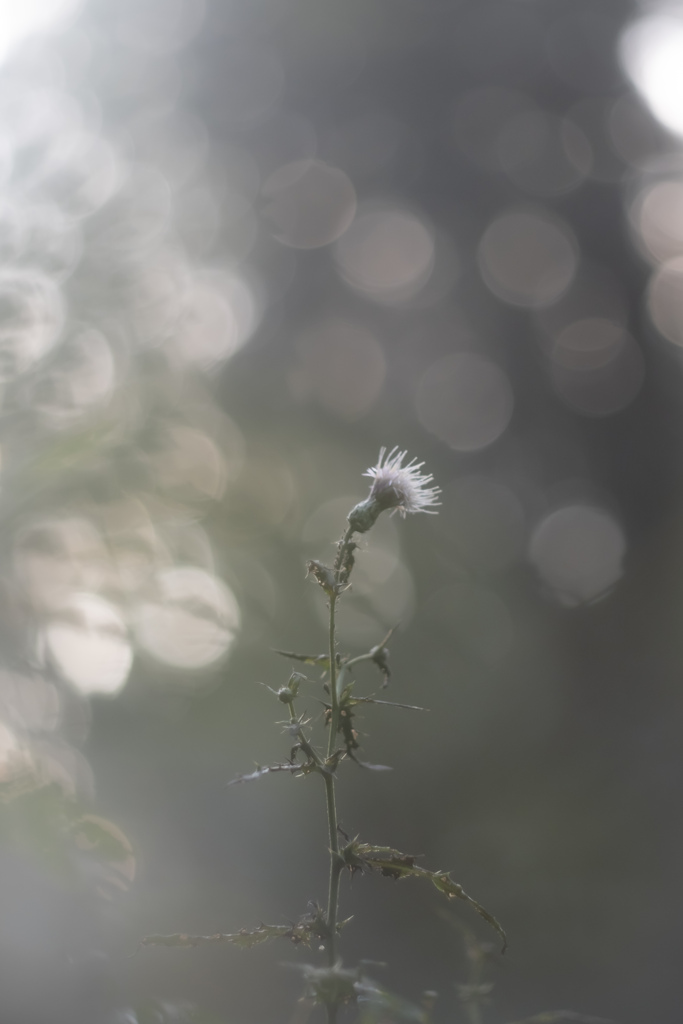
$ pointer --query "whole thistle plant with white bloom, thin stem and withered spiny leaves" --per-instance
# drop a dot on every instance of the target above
(401, 487)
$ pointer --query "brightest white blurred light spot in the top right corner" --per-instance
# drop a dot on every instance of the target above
(653, 55)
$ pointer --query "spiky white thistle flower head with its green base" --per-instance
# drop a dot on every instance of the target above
(396, 488)
